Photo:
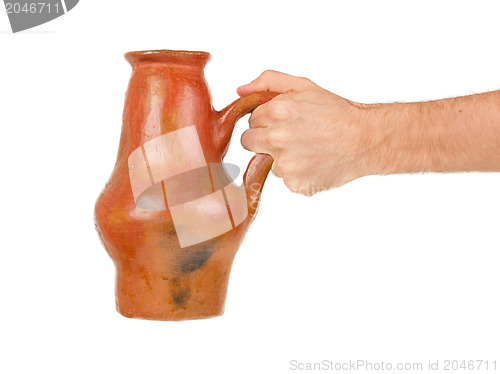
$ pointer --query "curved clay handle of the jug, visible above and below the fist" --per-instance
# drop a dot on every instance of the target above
(259, 166)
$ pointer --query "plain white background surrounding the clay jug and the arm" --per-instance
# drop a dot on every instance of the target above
(394, 269)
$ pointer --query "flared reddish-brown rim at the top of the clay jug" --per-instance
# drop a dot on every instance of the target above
(166, 56)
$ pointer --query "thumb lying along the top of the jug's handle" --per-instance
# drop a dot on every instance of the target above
(276, 81)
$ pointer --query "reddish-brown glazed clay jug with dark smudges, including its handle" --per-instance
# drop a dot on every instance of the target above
(170, 217)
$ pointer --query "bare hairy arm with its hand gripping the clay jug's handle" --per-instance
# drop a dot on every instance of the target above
(320, 140)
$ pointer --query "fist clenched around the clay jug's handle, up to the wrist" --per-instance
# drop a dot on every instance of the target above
(315, 137)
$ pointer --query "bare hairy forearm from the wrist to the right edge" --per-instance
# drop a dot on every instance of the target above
(456, 134)
